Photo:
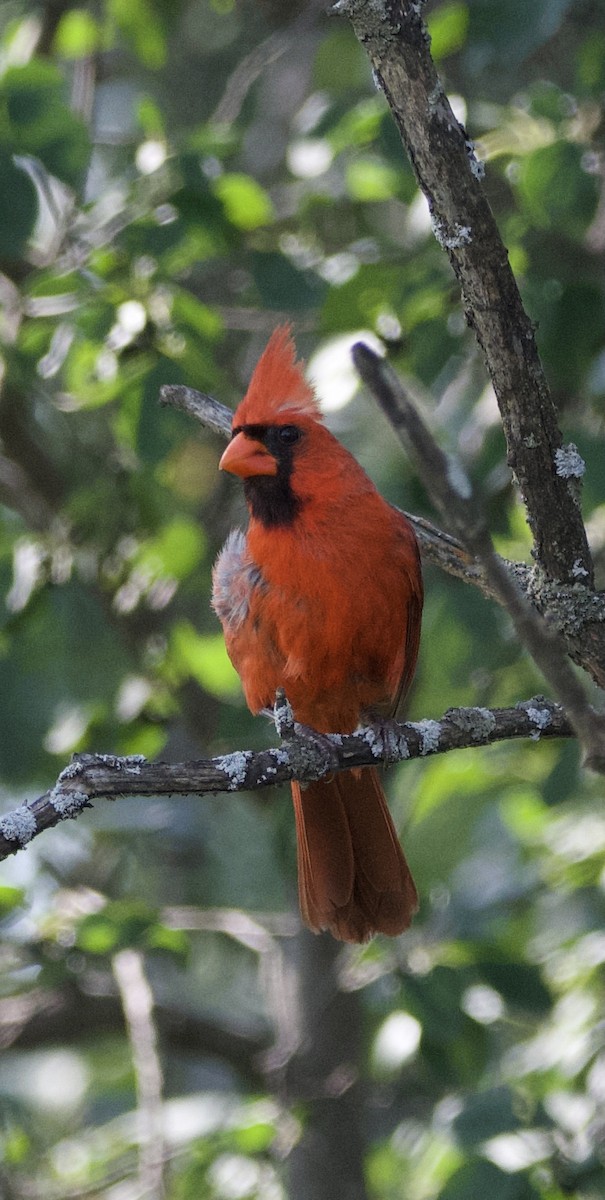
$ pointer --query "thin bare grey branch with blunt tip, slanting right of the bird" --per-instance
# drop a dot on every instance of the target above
(452, 494)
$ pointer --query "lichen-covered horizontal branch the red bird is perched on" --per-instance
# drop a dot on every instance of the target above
(302, 757)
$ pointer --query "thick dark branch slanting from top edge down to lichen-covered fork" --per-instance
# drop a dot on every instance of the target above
(451, 177)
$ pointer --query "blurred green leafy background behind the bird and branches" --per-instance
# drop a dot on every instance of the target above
(176, 178)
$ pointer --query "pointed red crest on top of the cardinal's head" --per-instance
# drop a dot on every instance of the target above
(279, 392)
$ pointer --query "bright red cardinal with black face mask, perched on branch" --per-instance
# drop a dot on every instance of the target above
(322, 597)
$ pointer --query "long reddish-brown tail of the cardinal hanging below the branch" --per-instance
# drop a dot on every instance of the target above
(354, 875)
